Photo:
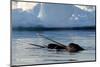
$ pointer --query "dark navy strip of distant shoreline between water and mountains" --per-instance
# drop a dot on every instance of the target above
(53, 28)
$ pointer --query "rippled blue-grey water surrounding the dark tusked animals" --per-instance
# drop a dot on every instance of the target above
(24, 54)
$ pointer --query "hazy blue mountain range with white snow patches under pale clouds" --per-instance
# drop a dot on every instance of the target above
(53, 15)
